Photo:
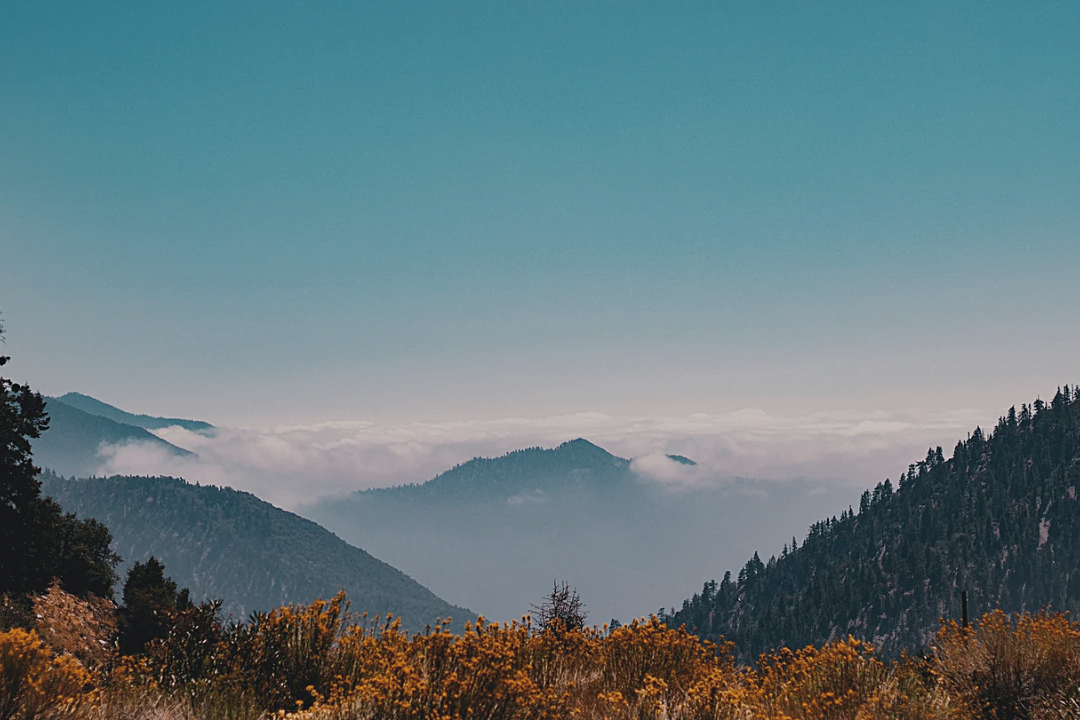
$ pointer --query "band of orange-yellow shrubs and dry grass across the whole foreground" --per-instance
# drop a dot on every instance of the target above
(319, 662)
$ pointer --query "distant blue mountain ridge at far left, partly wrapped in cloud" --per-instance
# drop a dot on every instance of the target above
(73, 444)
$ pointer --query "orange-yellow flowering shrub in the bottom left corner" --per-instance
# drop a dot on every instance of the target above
(35, 685)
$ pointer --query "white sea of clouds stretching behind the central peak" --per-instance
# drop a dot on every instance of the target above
(292, 466)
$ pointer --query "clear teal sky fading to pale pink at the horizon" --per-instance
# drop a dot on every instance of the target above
(281, 211)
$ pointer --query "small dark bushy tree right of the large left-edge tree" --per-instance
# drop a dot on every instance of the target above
(152, 607)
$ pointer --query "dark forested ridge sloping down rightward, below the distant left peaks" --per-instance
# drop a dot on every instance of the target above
(223, 544)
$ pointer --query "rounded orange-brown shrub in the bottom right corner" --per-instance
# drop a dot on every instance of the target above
(1020, 668)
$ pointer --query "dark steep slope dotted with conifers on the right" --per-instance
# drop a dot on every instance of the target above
(1001, 520)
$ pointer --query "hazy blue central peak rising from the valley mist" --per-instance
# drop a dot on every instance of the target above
(494, 533)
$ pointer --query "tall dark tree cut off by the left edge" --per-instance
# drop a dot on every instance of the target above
(38, 541)
